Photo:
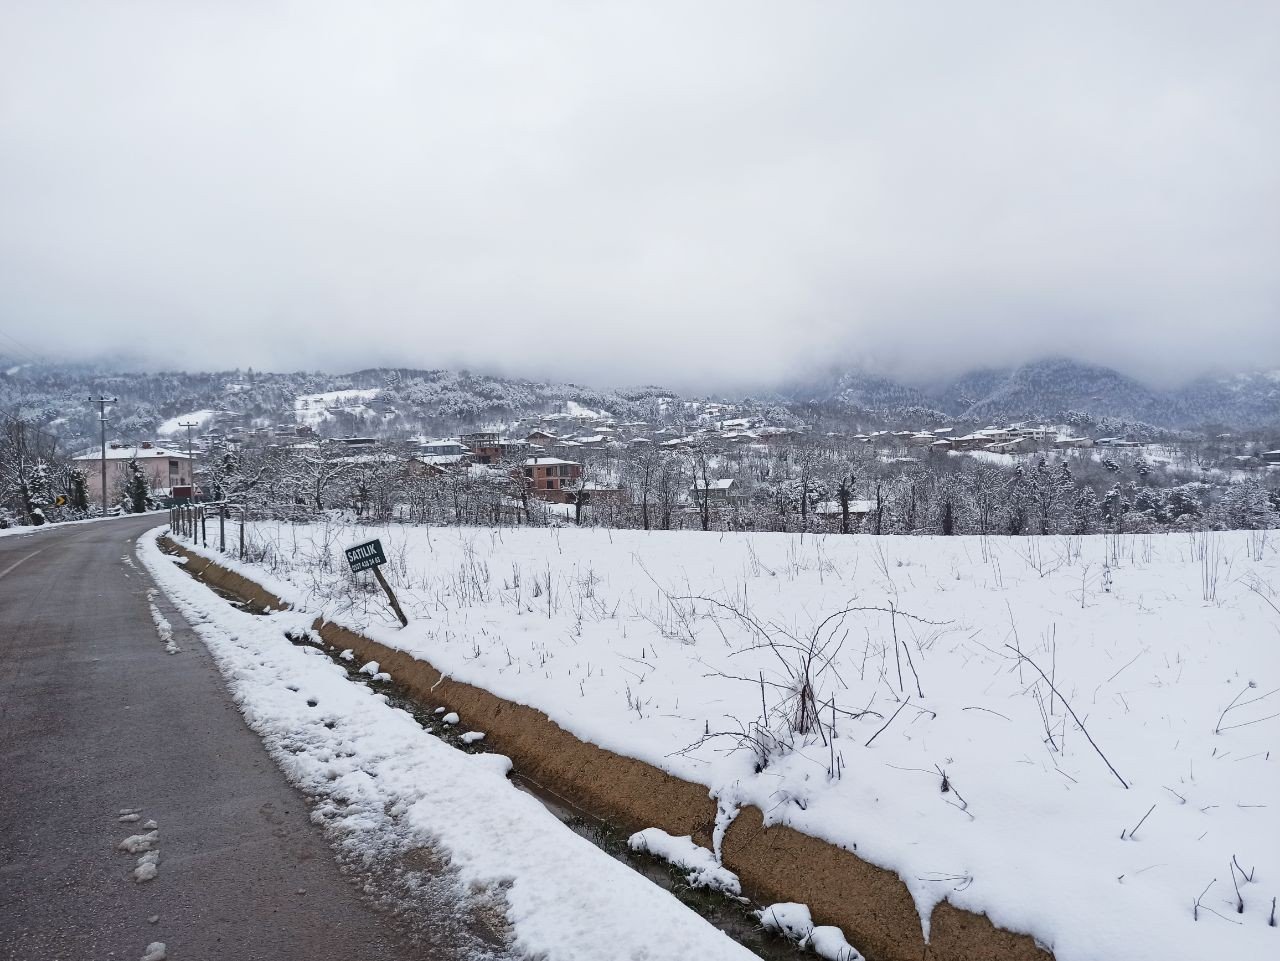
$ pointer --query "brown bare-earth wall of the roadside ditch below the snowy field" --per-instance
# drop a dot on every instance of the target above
(870, 904)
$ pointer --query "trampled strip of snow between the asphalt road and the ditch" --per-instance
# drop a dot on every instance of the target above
(383, 788)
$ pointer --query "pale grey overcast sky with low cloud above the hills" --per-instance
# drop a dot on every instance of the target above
(696, 194)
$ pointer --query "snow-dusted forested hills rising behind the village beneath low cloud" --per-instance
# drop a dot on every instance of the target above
(403, 402)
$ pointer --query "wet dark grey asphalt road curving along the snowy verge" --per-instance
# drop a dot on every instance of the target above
(95, 719)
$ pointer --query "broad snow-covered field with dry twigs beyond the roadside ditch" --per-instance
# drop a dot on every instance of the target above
(956, 762)
